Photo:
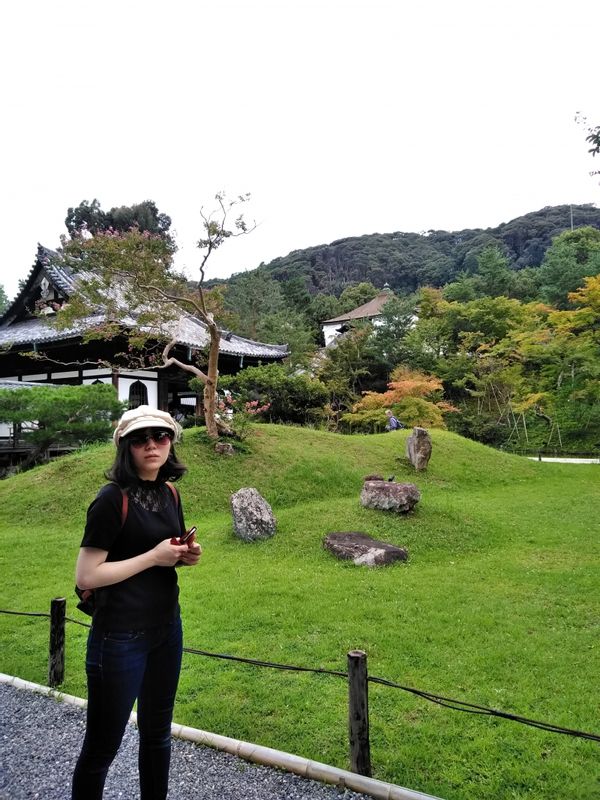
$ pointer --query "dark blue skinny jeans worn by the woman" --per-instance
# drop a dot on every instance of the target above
(123, 666)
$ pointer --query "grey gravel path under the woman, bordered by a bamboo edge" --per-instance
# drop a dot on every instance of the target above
(40, 739)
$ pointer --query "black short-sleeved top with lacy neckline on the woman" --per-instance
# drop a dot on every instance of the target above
(149, 598)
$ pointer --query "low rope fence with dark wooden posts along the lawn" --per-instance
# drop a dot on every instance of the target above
(357, 677)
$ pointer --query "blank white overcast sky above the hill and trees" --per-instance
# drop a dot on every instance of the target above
(341, 118)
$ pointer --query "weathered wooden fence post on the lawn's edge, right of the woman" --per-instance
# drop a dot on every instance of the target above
(358, 713)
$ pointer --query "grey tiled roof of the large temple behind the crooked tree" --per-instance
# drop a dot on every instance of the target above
(189, 331)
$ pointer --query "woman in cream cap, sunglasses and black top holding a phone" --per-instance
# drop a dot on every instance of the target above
(128, 557)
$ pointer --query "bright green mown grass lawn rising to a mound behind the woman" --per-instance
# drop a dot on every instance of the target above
(499, 604)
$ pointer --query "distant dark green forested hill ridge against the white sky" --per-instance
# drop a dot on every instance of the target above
(407, 261)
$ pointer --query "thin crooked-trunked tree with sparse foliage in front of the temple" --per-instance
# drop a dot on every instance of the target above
(129, 281)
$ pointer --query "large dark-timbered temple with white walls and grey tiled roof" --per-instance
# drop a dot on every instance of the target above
(65, 357)
